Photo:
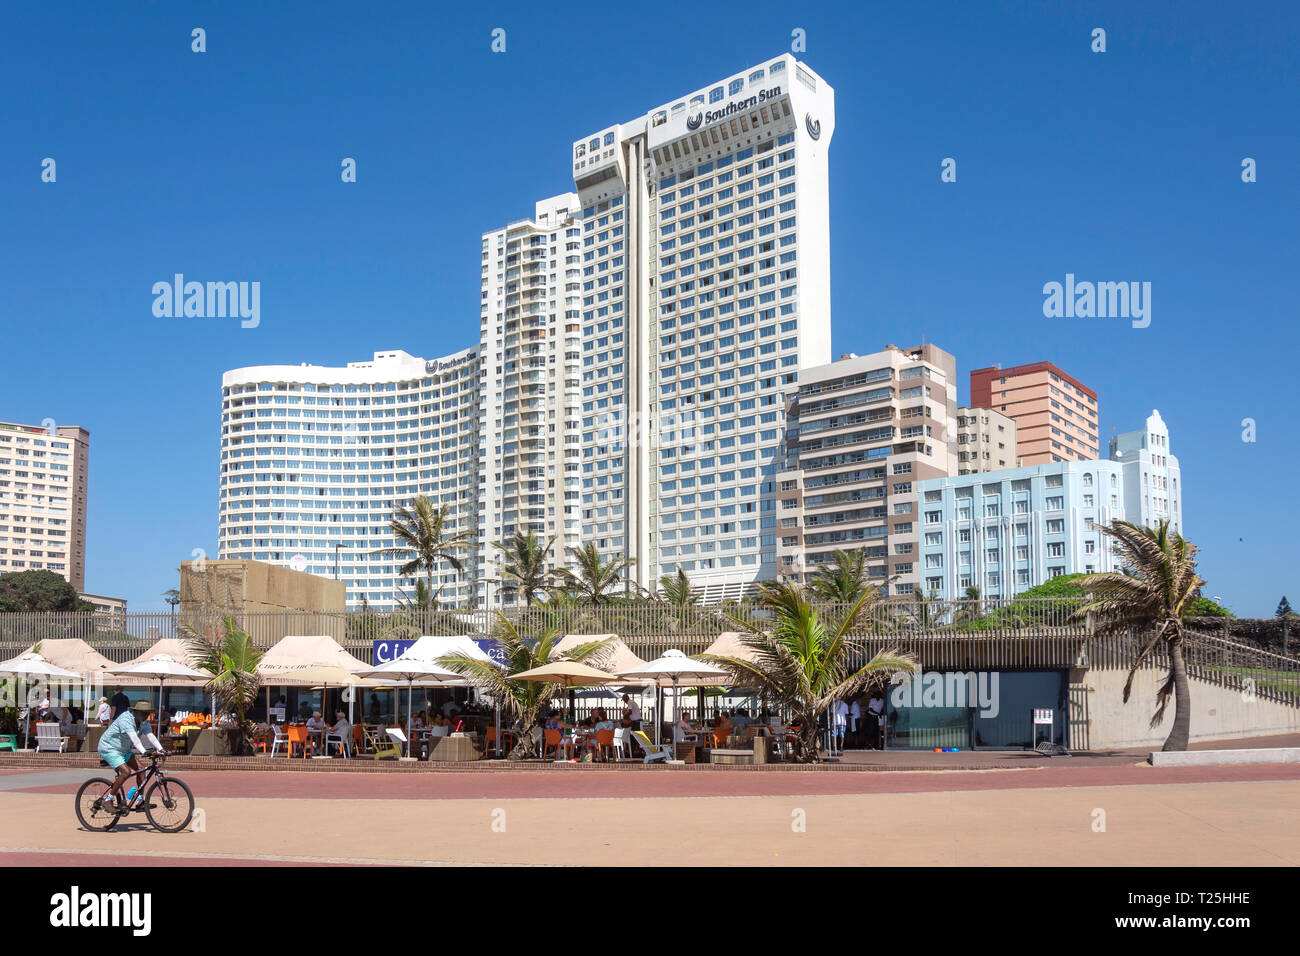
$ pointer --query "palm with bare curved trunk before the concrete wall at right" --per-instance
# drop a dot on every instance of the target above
(1151, 596)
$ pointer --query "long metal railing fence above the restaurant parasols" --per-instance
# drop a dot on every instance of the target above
(1017, 634)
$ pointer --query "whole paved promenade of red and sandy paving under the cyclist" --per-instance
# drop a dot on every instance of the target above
(1052, 815)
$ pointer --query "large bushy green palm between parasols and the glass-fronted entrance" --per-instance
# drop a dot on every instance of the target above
(804, 663)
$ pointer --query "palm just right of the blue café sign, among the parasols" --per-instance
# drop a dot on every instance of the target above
(521, 700)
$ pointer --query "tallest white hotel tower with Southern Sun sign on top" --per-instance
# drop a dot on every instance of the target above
(707, 285)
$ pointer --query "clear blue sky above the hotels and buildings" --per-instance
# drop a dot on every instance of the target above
(226, 166)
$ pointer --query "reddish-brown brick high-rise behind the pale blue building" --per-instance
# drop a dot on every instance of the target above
(1055, 414)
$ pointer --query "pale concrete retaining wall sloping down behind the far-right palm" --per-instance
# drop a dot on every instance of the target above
(1219, 713)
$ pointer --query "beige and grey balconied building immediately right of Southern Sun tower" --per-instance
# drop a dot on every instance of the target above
(861, 434)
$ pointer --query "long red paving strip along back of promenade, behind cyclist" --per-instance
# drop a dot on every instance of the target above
(557, 786)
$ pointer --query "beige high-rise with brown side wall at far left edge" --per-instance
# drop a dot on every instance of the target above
(44, 500)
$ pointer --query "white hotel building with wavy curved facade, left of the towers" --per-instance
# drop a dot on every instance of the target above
(314, 461)
